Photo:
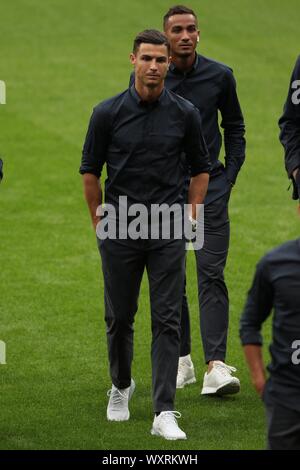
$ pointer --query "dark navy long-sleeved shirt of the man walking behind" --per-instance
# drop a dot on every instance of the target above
(211, 87)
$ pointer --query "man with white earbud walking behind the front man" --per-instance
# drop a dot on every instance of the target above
(211, 87)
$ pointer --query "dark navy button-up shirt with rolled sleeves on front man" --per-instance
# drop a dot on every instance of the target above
(143, 145)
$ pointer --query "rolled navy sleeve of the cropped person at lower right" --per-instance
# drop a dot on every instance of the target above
(258, 306)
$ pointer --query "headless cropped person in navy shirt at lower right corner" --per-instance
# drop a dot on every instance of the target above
(276, 285)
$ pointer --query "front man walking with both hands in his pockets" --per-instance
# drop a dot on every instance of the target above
(141, 134)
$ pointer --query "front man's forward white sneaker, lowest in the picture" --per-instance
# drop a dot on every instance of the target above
(165, 425)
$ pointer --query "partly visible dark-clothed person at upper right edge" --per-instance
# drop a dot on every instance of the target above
(289, 124)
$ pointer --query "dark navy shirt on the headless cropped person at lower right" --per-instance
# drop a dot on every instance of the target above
(276, 286)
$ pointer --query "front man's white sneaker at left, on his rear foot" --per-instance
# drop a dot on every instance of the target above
(117, 409)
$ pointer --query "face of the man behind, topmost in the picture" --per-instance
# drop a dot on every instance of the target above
(182, 33)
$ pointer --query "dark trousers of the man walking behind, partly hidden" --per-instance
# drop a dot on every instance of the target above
(212, 290)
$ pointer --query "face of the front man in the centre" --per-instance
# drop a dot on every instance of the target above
(151, 63)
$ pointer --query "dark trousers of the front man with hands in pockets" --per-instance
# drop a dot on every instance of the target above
(123, 264)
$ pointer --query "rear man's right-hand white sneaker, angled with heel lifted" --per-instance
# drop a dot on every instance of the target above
(219, 380)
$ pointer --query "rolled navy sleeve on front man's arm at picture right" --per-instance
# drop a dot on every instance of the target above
(195, 146)
